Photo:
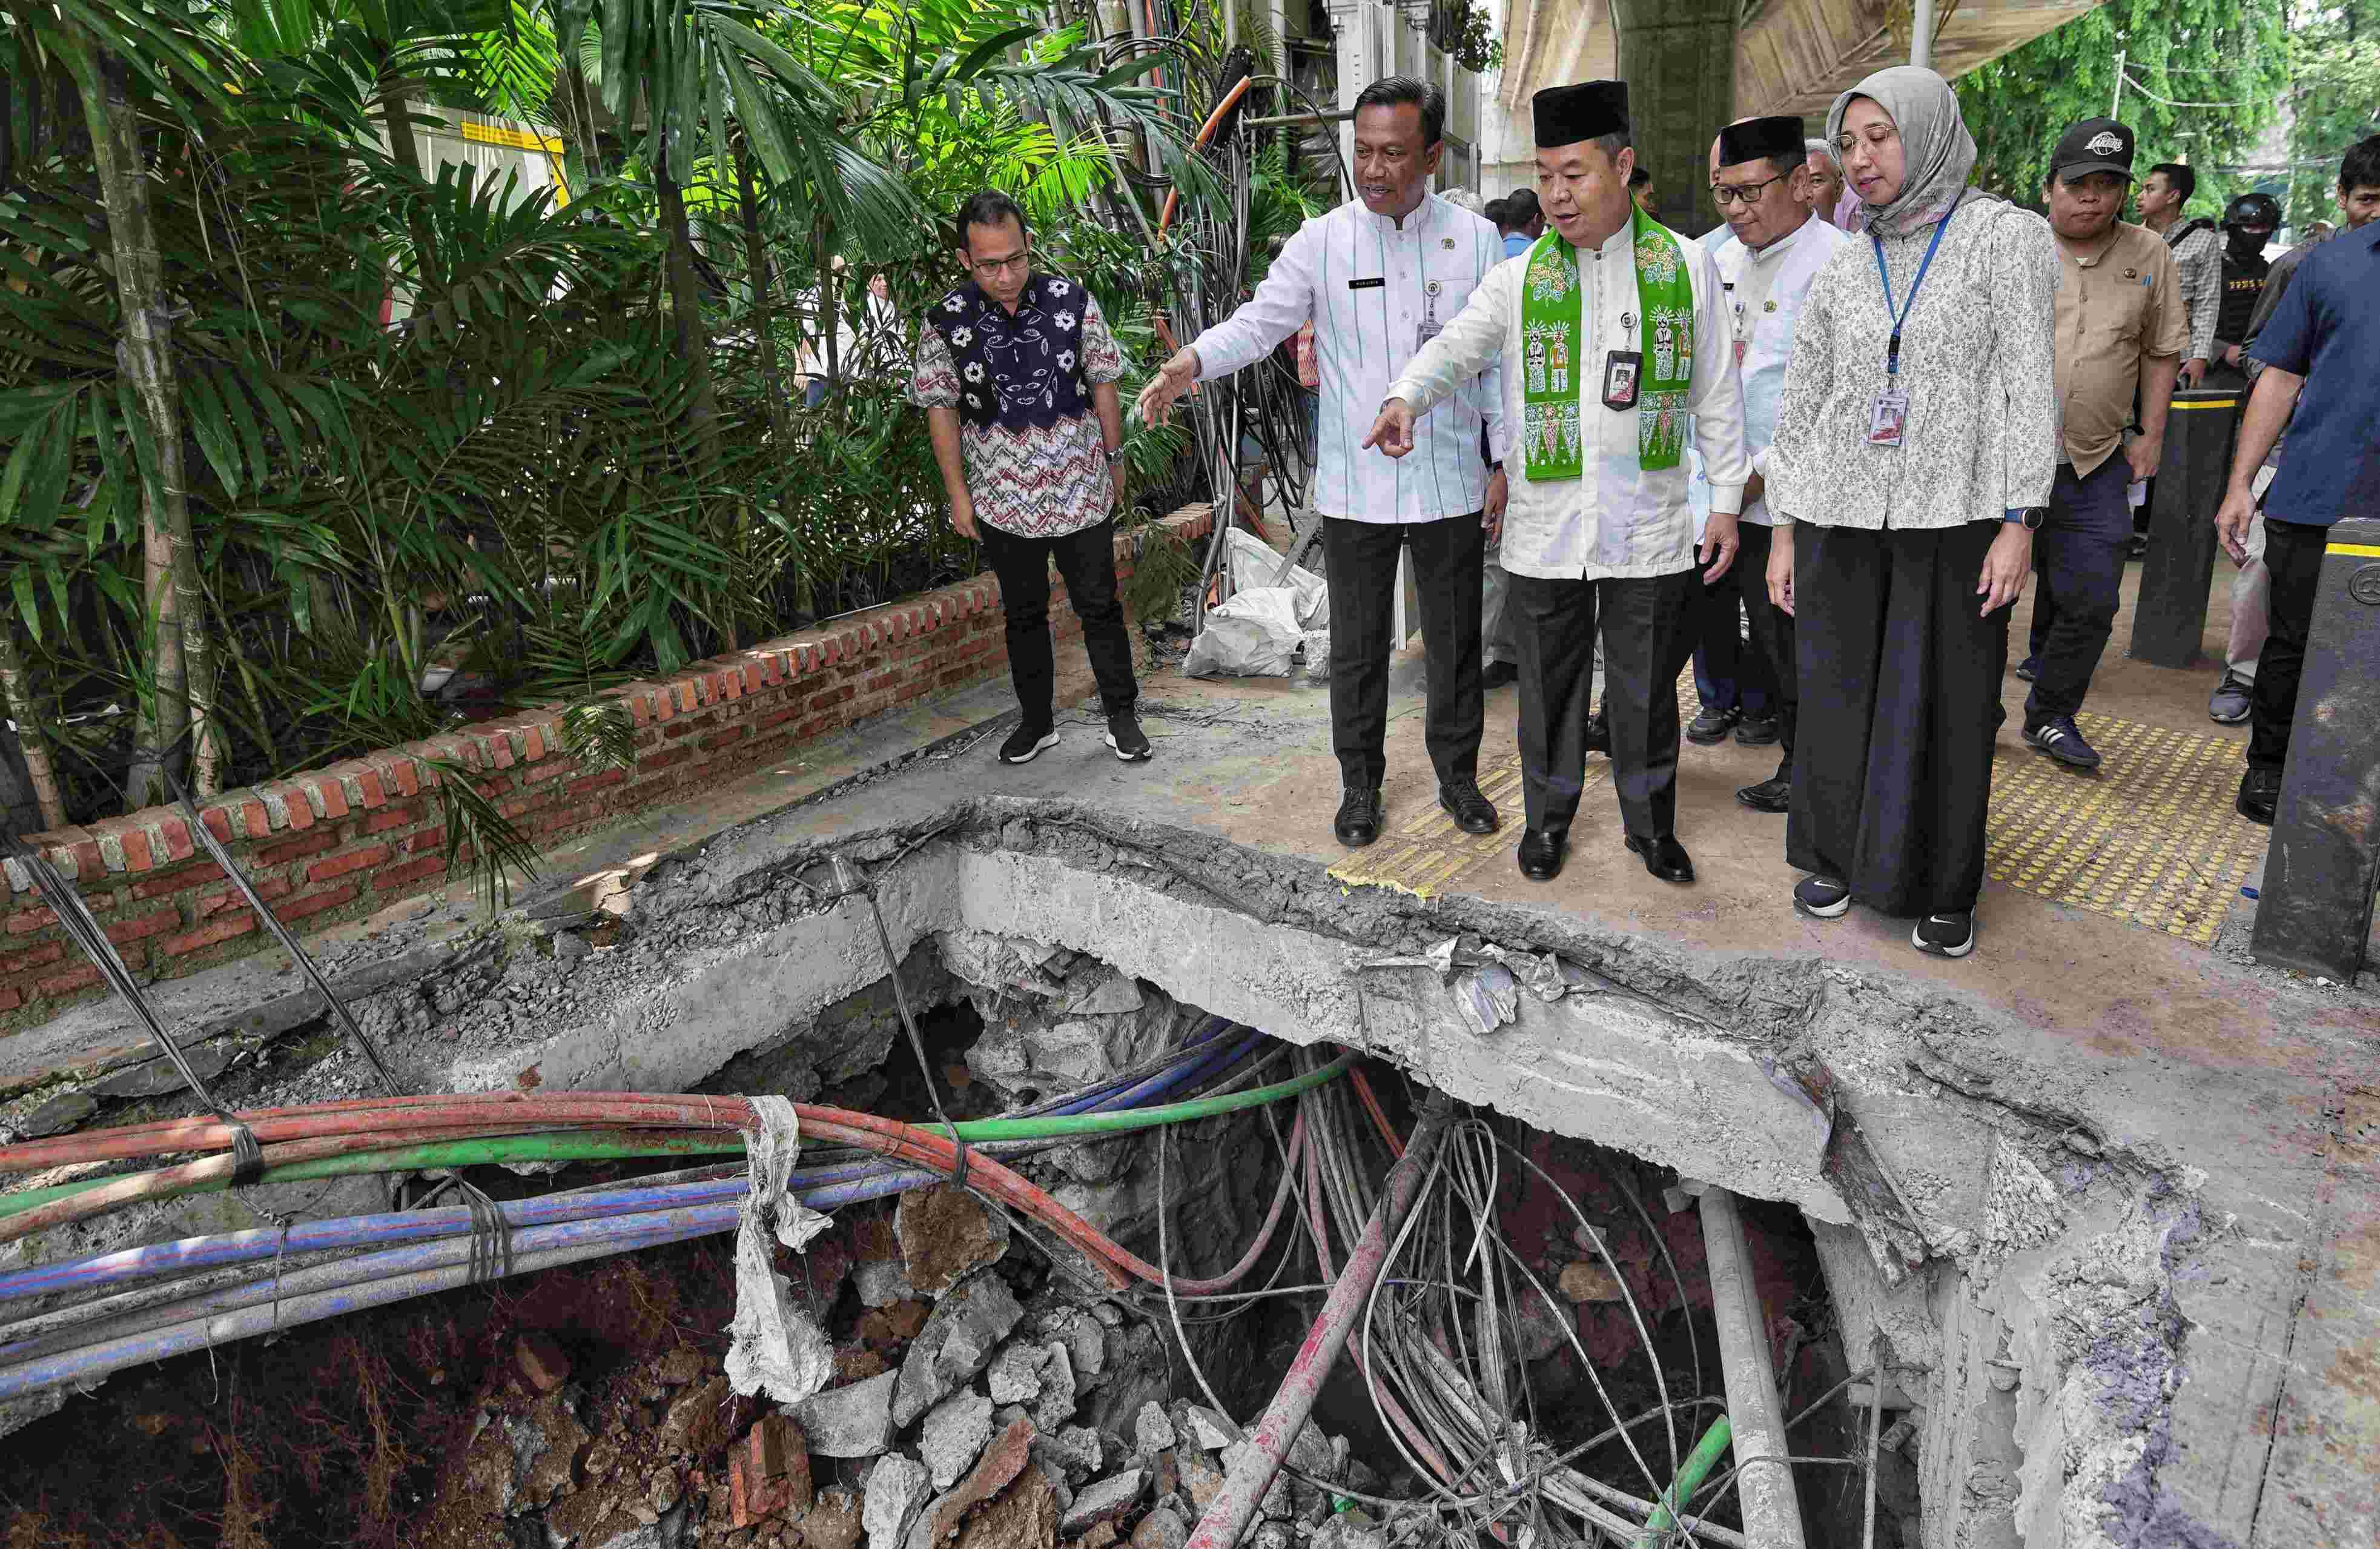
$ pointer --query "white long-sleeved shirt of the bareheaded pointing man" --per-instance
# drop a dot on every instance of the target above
(1370, 289)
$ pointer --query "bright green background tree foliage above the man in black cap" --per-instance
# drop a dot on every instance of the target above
(2226, 54)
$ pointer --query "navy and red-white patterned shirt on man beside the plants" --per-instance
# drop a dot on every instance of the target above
(1032, 472)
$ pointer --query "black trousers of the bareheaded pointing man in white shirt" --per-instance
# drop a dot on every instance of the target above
(1360, 560)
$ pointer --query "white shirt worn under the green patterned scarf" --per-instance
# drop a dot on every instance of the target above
(1620, 520)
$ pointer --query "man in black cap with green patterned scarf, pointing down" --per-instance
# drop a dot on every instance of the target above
(1615, 332)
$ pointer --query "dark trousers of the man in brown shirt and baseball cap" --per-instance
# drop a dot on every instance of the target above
(2079, 558)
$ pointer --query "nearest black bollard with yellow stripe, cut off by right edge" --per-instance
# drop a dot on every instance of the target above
(2319, 879)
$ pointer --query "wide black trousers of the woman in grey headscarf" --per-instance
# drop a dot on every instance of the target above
(1896, 777)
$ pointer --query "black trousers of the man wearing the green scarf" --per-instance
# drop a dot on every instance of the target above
(1646, 625)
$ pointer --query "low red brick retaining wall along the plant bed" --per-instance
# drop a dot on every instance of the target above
(344, 841)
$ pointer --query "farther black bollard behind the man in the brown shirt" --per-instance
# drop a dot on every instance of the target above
(2169, 617)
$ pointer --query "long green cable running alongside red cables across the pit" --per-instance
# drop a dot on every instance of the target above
(606, 1146)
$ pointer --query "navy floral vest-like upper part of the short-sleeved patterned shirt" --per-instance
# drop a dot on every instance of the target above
(1020, 370)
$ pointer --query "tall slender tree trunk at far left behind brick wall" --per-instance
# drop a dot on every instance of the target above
(175, 601)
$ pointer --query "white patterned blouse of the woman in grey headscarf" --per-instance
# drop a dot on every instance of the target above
(1981, 432)
